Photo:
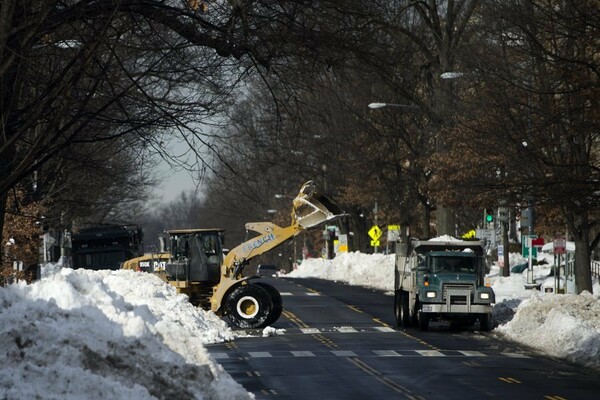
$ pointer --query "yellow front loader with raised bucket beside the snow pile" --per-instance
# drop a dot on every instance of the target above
(196, 265)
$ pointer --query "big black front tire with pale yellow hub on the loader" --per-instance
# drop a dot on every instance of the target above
(249, 306)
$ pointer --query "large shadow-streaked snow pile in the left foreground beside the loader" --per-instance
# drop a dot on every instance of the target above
(108, 334)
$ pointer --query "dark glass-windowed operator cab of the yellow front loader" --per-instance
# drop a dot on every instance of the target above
(196, 255)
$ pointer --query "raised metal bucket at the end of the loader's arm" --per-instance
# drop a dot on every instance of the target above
(311, 208)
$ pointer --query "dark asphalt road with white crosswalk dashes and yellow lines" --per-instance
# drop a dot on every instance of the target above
(339, 343)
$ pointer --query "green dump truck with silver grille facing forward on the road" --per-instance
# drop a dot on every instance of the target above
(442, 281)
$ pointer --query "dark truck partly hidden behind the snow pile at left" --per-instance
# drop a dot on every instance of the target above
(106, 247)
